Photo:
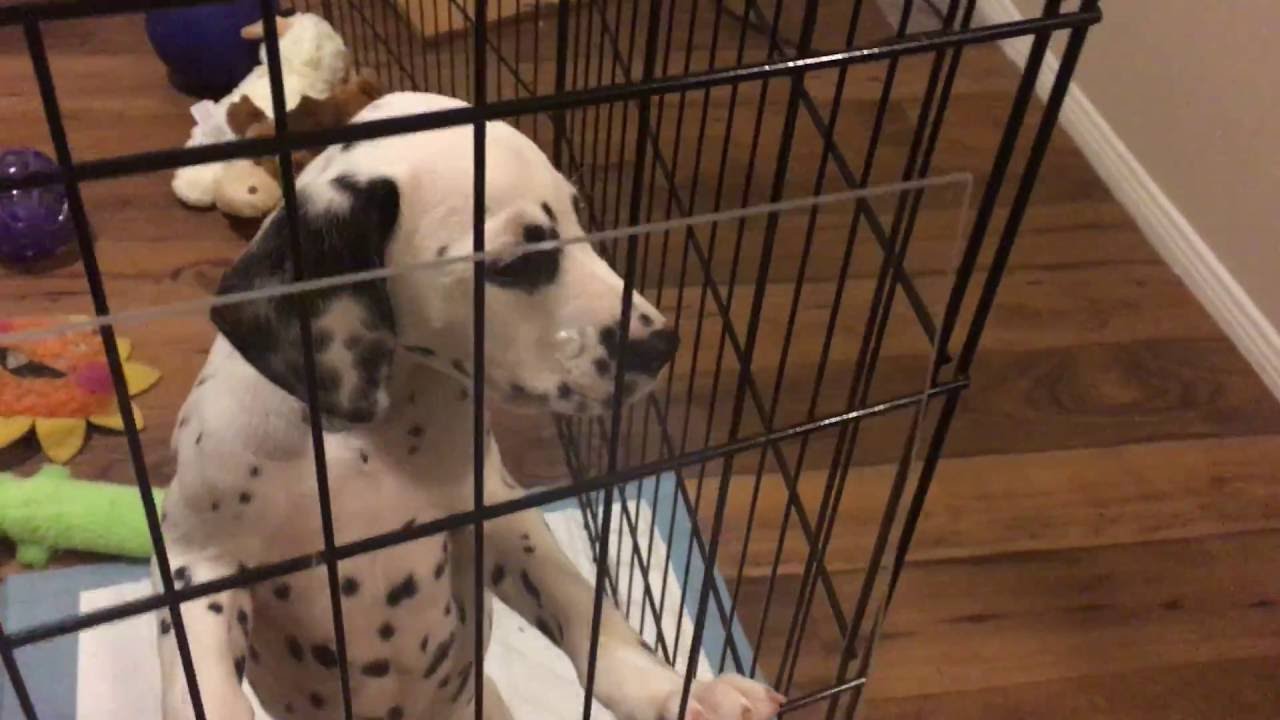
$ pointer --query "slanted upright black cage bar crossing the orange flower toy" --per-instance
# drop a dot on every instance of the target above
(102, 308)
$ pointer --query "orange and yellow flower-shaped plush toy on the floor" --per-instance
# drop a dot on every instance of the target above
(60, 385)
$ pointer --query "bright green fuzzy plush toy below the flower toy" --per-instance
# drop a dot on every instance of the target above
(52, 511)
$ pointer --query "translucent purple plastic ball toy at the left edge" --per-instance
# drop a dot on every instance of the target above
(34, 224)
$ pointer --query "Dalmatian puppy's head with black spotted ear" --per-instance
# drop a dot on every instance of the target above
(554, 336)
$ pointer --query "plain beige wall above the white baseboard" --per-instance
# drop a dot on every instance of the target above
(1194, 89)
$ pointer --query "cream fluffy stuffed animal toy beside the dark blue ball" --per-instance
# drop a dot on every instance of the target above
(314, 62)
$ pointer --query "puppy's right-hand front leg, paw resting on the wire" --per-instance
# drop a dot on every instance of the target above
(531, 573)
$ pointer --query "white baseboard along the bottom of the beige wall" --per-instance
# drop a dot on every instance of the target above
(1160, 221)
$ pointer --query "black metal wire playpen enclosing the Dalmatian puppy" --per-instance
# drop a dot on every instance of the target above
(766, 175)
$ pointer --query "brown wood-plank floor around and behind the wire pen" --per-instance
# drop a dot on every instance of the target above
(1104, 536)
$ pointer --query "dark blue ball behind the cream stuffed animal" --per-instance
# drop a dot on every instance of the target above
(202, 45)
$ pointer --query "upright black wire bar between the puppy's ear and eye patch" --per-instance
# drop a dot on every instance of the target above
(479, 430)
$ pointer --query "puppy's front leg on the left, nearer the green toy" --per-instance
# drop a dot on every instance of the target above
(218, 630)
